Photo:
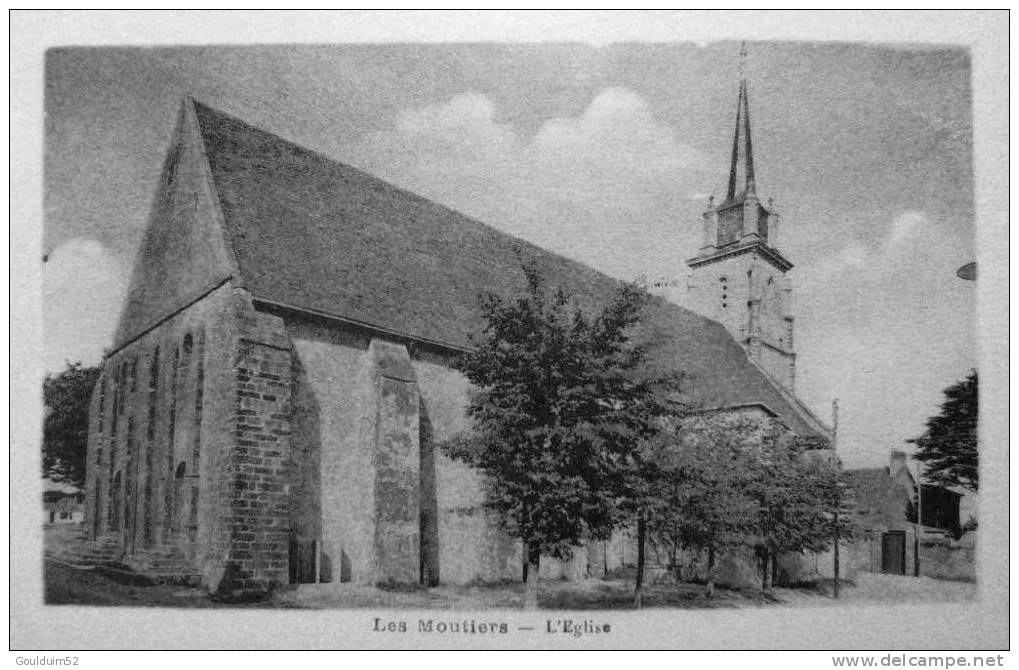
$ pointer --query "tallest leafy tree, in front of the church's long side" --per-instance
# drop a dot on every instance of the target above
(559, 411)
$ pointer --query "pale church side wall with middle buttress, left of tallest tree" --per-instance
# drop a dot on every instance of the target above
(374, 407)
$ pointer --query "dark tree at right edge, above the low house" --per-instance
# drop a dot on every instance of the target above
(948, 448)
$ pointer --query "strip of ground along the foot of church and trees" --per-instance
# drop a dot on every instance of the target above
(68, 586)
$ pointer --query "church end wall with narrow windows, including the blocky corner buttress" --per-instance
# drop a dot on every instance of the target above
(189, 453)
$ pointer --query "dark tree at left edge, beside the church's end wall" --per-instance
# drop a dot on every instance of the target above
(66, 430)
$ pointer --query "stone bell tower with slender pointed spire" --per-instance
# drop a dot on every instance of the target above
(738, 277)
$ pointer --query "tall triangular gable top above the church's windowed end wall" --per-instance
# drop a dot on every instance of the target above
(183, 256)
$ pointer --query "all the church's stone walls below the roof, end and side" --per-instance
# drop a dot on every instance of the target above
(265, 448)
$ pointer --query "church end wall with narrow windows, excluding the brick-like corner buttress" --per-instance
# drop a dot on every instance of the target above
(149, 435)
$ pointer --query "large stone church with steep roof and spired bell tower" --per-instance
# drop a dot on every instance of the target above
(281, 377)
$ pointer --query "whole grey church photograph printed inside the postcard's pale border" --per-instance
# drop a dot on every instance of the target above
(431, 332)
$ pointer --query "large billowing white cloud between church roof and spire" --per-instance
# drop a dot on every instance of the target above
(613, 175)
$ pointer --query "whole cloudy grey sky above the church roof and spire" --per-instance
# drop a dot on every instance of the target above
(604, 154)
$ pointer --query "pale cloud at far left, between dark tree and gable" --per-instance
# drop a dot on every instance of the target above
(84, 286)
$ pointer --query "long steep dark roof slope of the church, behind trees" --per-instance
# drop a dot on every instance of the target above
(315, 235)
